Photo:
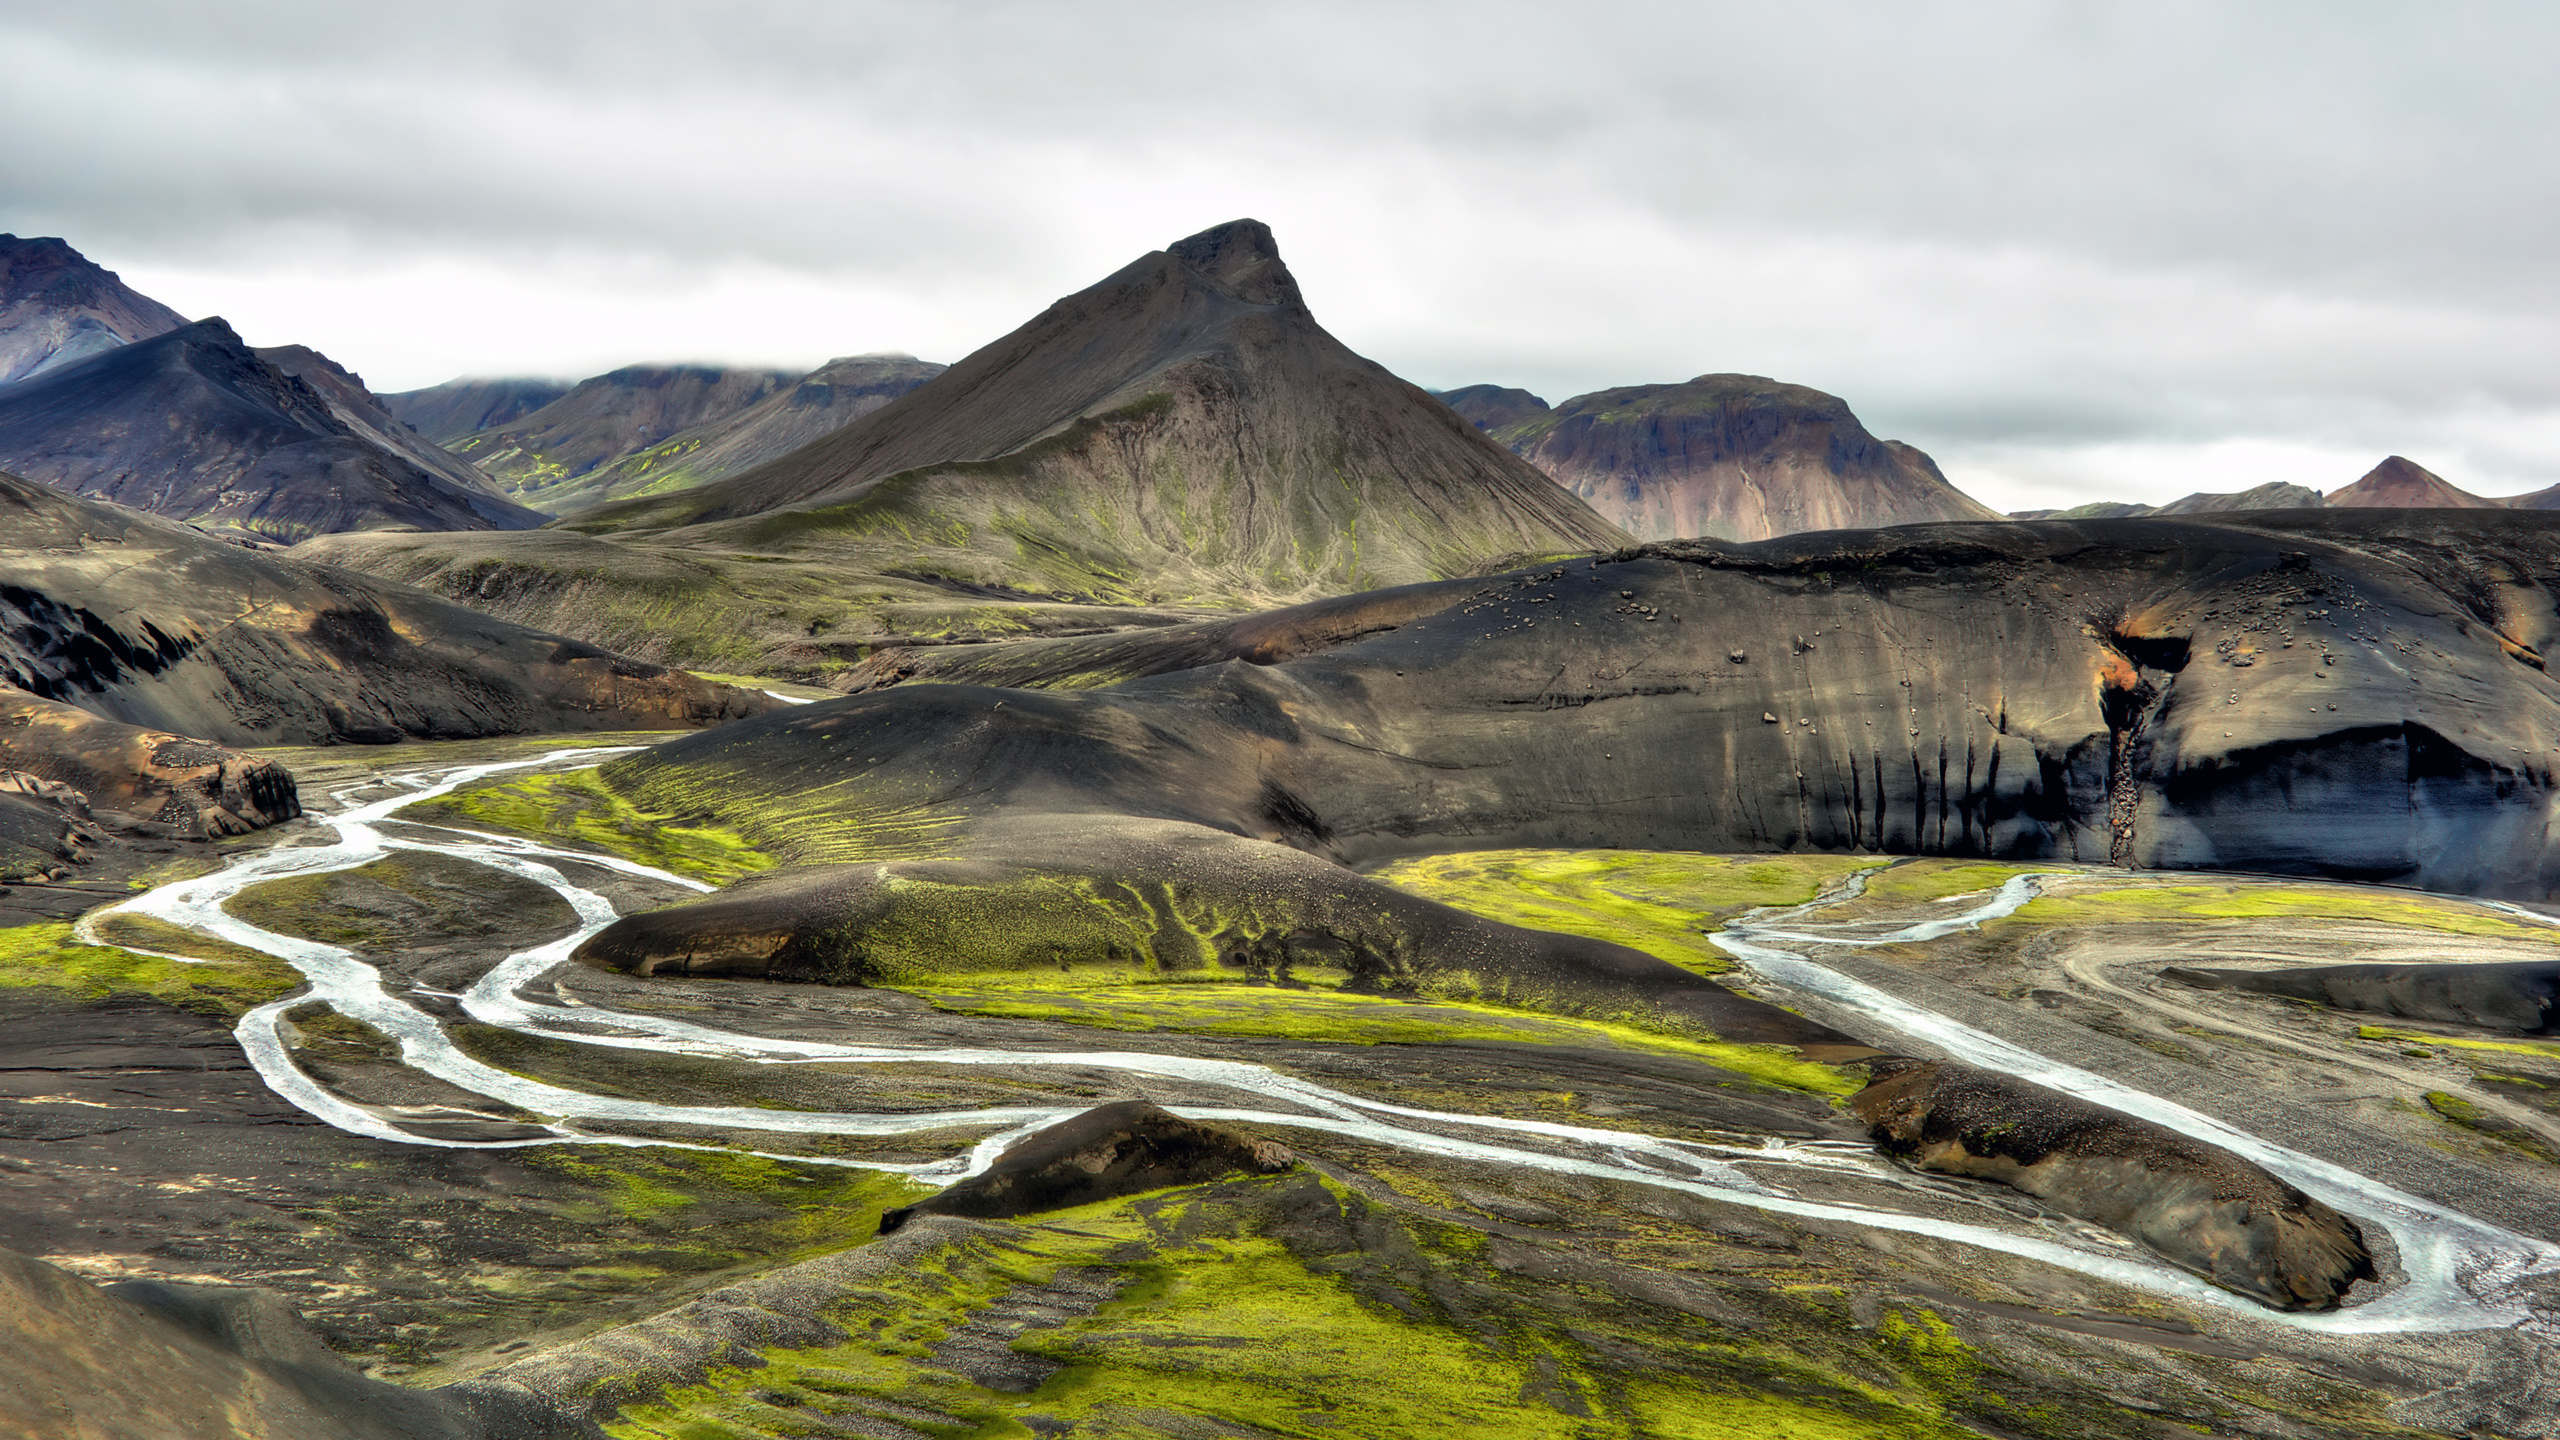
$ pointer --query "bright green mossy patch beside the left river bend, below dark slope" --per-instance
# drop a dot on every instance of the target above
(585, 811)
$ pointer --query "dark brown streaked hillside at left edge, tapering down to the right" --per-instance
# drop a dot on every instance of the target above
(160, 629)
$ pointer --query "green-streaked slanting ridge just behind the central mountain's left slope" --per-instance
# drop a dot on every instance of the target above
(826, 401)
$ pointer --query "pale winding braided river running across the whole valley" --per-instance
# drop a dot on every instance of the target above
(2456, 1272)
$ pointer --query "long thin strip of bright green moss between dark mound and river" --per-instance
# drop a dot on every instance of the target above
(1330, 1016)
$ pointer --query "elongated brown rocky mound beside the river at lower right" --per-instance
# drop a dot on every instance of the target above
(2195, 1206)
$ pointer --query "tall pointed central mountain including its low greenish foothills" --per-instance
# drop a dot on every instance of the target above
(1176, 439)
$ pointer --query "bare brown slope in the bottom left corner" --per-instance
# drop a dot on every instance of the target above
(152, 1362)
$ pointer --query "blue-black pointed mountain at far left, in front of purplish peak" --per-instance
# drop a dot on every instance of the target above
(198, 427)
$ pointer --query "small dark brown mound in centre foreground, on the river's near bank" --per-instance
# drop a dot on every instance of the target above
(1102, 1154)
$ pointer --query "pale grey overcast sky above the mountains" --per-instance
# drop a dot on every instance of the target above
(2075, 252)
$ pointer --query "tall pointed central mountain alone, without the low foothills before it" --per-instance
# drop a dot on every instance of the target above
(1207, 429)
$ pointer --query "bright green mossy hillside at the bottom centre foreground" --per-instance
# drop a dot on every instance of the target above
(1230, 1318)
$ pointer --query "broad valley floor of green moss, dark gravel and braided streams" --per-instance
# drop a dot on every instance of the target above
(472, 1159)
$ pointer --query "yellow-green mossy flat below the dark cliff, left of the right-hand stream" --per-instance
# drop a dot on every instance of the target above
(1663, 903)
